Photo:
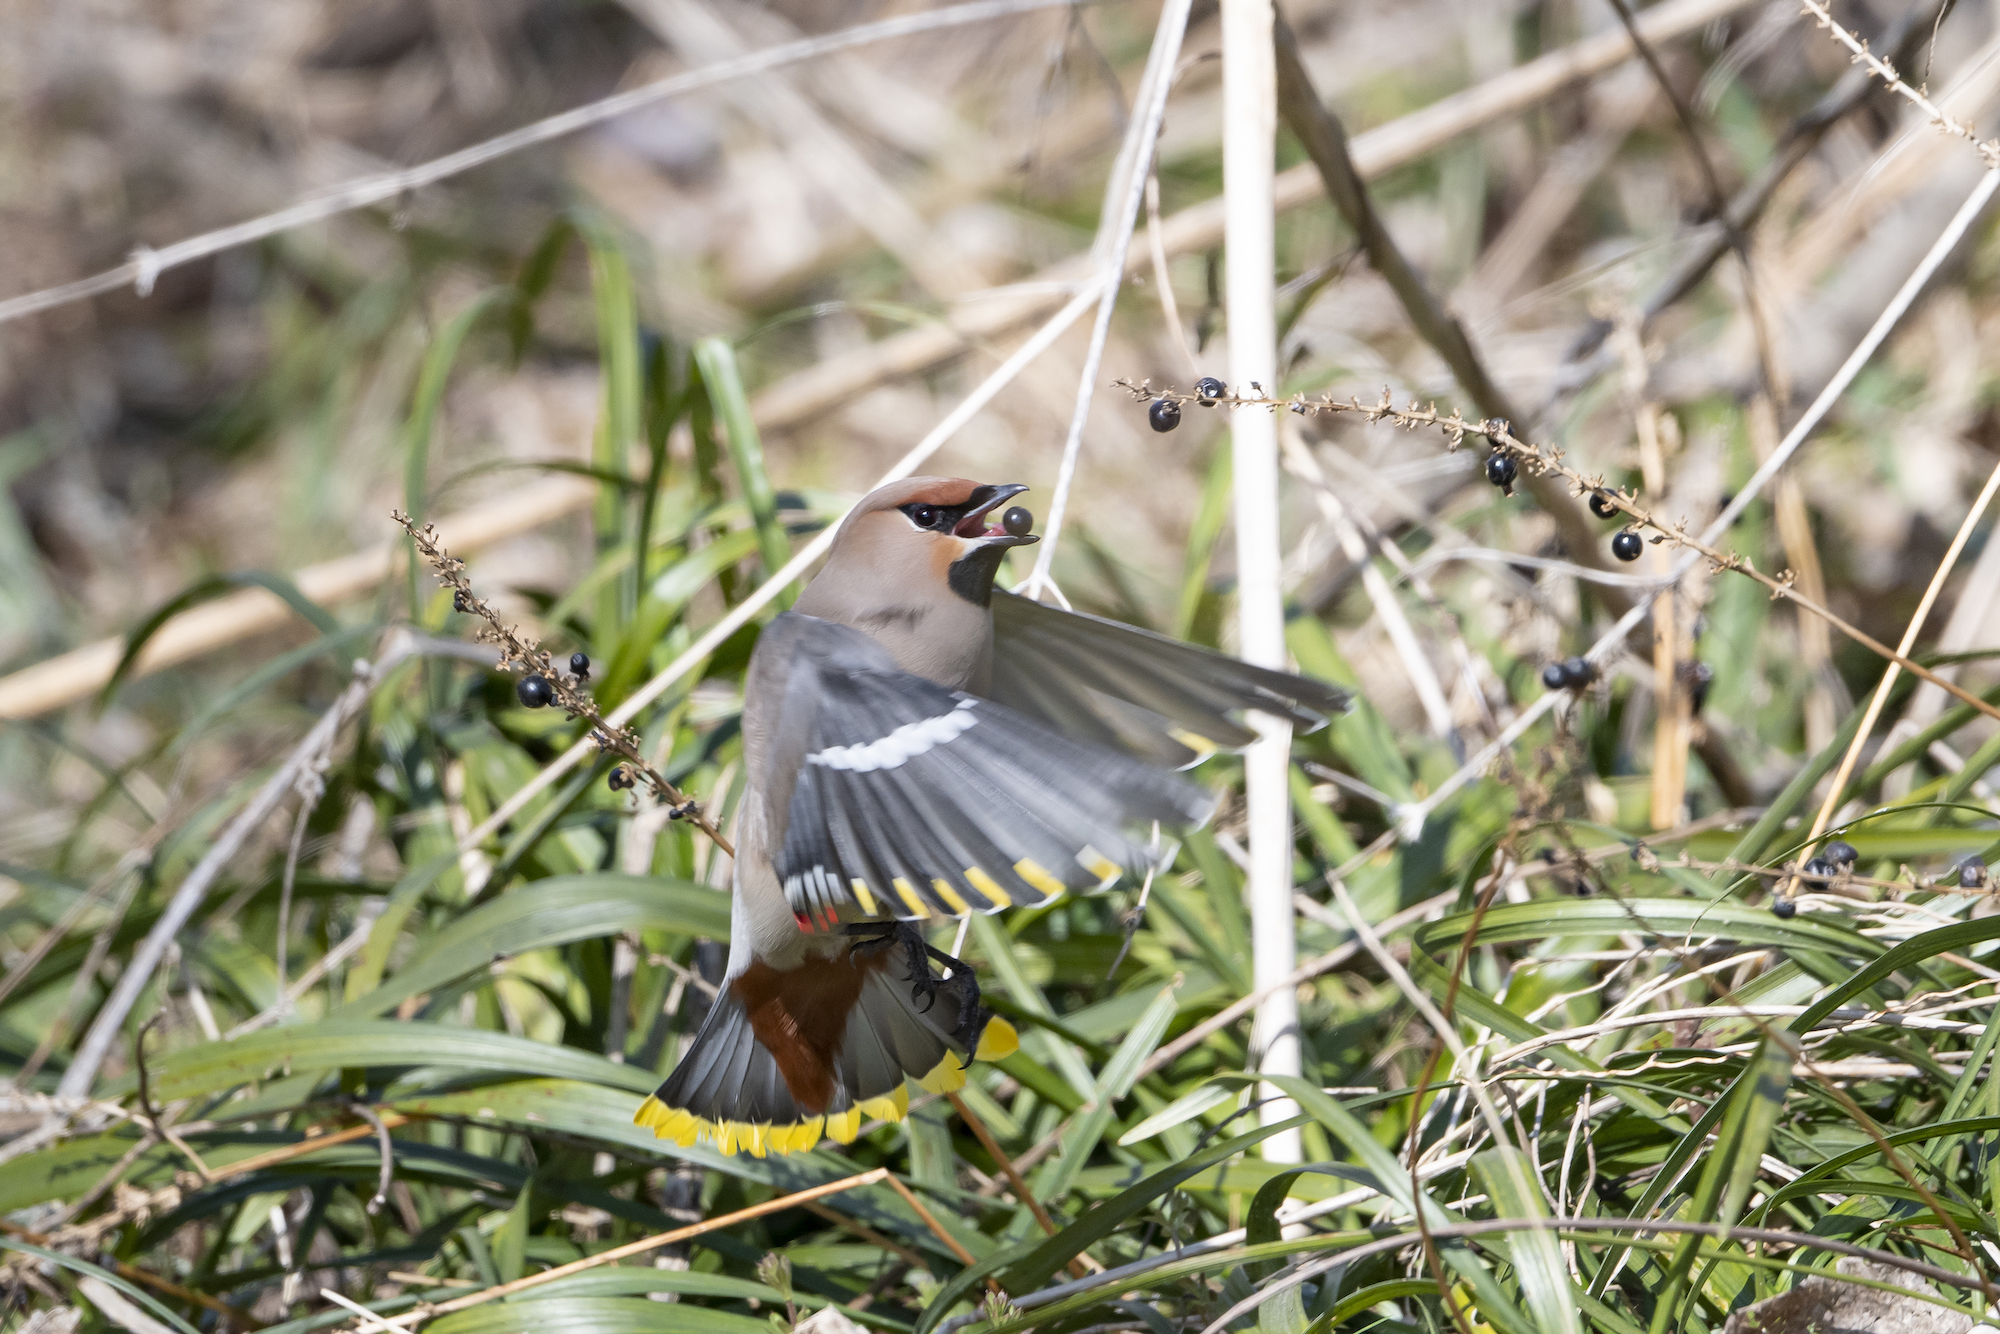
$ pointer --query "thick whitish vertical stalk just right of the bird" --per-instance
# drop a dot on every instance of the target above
(1249, 175)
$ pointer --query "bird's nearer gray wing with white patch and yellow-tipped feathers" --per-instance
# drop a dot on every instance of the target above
(913, 801)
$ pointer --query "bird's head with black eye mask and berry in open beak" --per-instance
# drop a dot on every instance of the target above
(937, 529)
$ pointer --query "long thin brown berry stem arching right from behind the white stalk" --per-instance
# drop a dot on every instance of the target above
(1537, 461)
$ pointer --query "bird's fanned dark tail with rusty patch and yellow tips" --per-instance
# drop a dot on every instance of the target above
(791, 1055)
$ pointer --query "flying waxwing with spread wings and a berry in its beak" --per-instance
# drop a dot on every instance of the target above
(923, 745)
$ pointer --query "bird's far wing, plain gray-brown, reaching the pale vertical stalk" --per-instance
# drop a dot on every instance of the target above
(1143, 693)
